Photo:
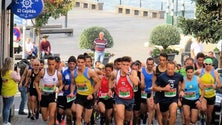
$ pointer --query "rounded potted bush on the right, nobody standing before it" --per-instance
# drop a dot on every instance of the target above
(164, 35)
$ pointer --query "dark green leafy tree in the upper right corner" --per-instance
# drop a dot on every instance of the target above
(208, 22)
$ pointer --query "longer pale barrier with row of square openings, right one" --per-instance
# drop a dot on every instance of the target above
(136, 11)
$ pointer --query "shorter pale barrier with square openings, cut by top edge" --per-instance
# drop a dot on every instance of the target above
(89, 5)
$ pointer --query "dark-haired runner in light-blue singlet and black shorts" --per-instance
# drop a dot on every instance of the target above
(191, 96)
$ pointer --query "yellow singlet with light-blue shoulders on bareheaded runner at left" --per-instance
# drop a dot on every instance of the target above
(83, 82)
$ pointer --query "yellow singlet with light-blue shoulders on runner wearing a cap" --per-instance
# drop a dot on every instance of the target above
(208, 78)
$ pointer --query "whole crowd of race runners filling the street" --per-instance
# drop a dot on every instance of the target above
(123, 92)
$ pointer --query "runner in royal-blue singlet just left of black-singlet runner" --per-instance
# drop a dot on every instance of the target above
(146, 84)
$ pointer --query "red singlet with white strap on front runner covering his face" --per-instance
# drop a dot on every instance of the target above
(124, 87)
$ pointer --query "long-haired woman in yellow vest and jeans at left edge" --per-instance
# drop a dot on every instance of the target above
(9, 87)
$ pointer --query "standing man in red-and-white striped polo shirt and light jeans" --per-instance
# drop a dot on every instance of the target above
(100, 45)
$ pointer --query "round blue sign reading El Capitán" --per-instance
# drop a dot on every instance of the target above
(27, 9)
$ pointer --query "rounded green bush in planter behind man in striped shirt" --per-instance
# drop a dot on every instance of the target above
(88, 36)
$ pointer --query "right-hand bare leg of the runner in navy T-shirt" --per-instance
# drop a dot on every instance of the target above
(173, 113)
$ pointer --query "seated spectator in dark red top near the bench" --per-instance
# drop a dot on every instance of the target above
(45, 47)
